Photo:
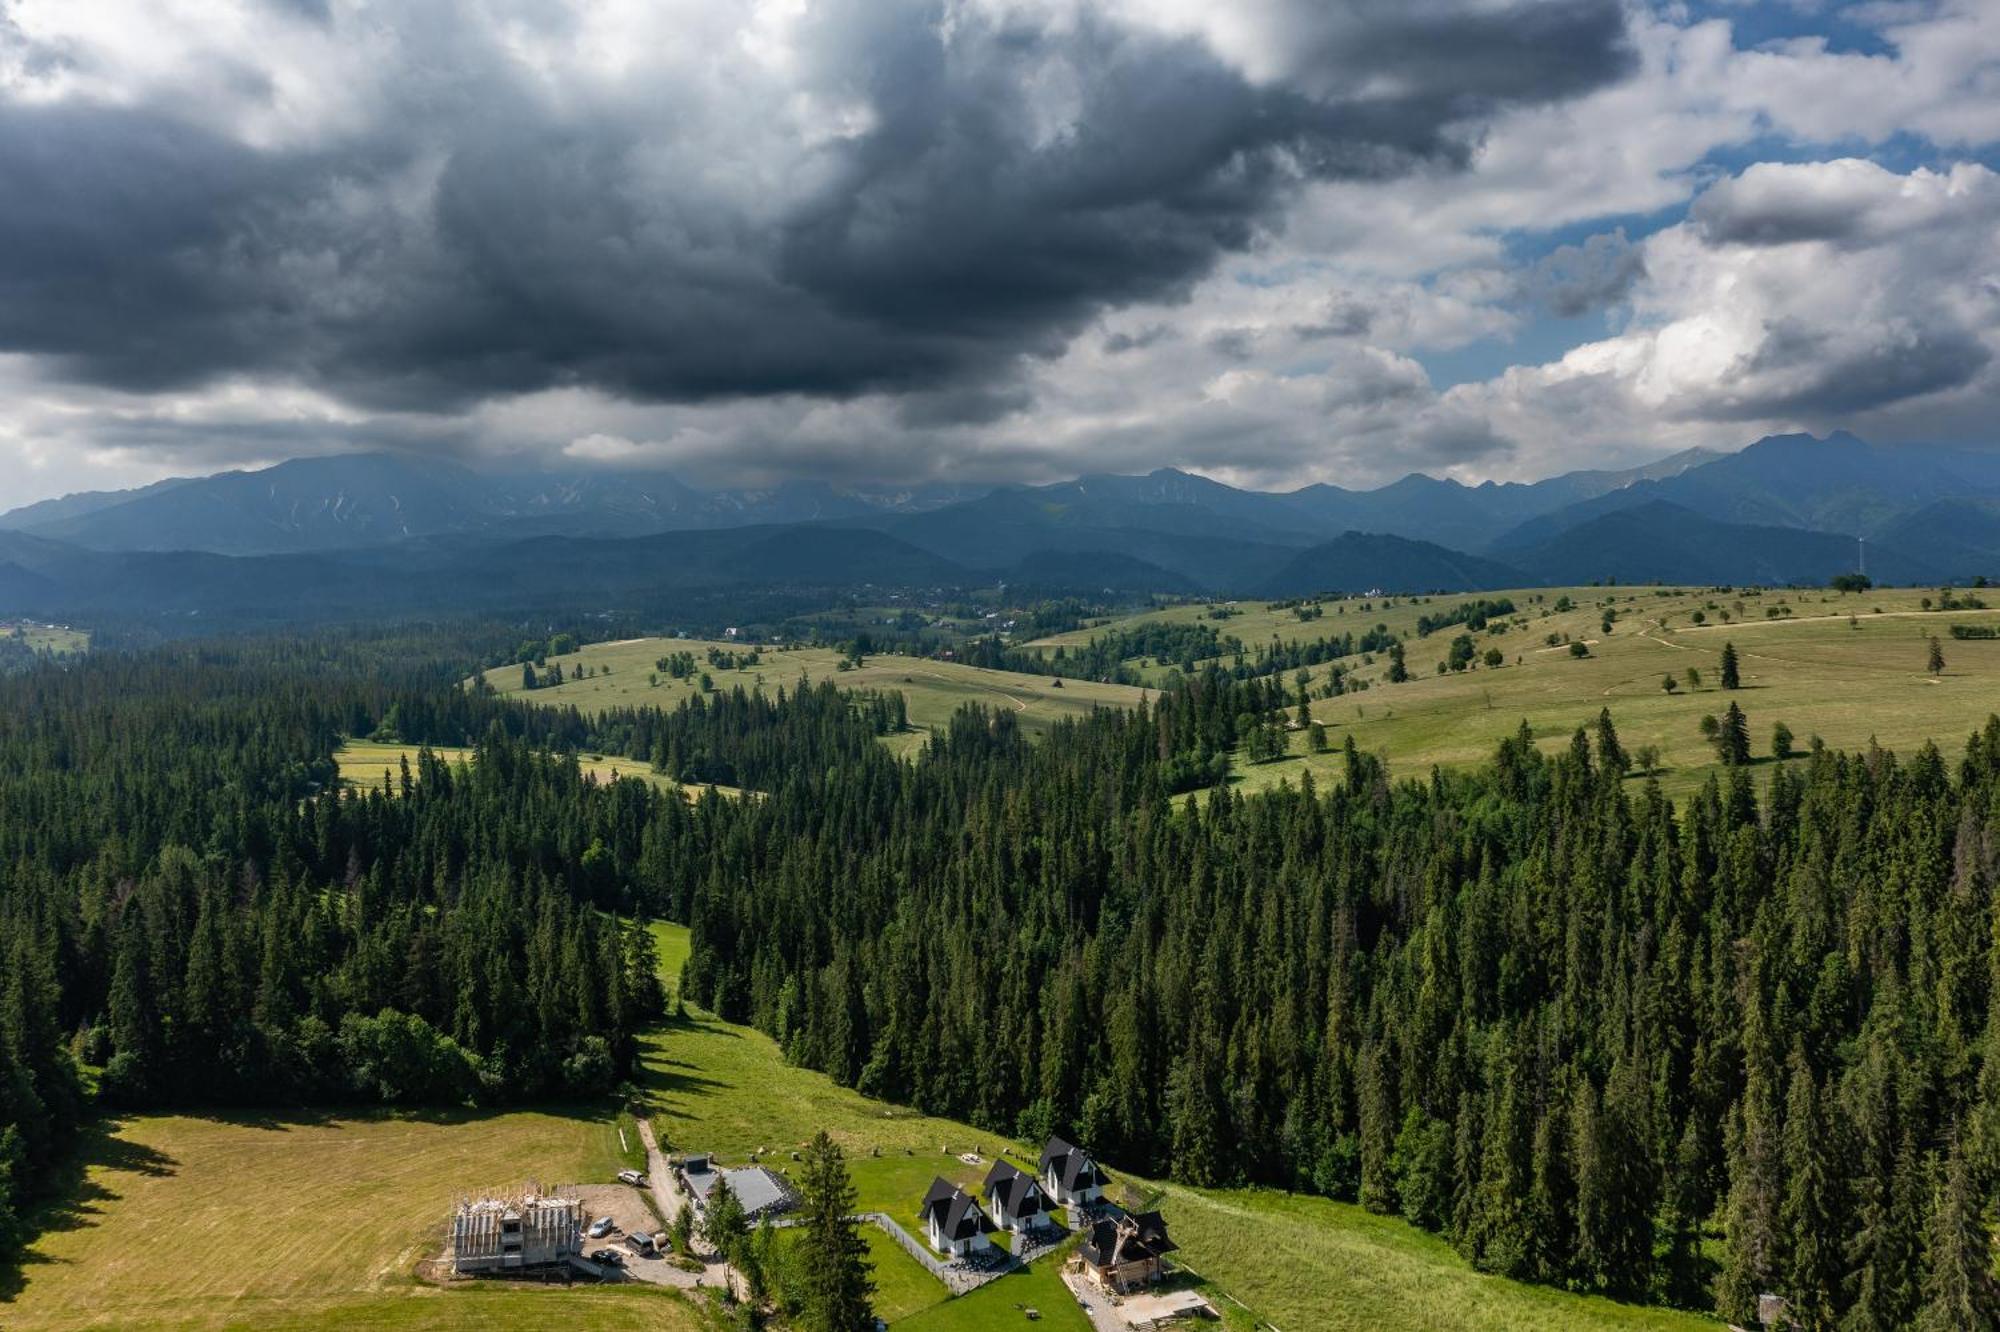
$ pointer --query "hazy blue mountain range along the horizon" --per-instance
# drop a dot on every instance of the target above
(357, 533)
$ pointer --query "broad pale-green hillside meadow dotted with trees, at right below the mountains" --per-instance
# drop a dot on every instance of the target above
(1847, 669)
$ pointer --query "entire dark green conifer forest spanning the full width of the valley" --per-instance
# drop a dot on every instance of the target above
(1597, 1039)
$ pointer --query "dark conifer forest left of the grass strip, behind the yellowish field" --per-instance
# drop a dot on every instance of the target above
(191, 901)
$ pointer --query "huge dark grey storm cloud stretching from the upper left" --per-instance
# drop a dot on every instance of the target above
(481, 239)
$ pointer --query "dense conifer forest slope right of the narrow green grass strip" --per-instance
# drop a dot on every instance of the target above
(1537, 1009)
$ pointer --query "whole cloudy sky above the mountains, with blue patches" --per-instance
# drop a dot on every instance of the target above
(979, 241)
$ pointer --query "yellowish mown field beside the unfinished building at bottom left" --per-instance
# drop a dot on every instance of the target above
(303, 1223)
